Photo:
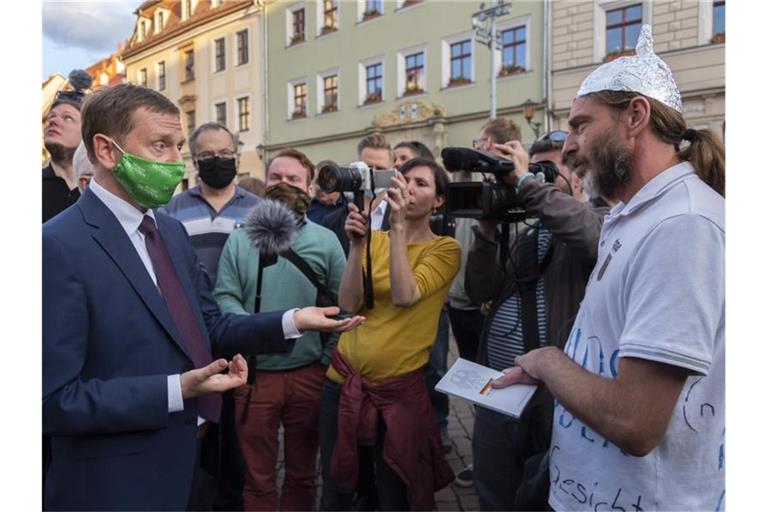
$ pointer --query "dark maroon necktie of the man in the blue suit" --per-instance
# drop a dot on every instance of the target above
(181, 312)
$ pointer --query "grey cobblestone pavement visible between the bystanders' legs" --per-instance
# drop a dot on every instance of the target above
(460, 424)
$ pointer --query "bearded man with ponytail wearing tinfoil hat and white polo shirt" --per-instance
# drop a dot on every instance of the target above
(639, 422)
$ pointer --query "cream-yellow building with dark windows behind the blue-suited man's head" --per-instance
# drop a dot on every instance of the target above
(204, 56)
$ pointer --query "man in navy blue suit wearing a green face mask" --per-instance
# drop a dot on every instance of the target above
(129, 323)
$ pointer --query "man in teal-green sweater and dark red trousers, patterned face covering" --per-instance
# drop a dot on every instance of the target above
(286, 388)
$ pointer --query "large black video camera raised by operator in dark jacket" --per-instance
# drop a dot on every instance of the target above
(487, 200)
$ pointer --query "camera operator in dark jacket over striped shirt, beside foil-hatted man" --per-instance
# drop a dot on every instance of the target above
(535, 294)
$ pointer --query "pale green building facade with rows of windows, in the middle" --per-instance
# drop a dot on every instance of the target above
(413, 70)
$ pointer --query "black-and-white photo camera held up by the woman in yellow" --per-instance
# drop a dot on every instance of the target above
(357, 178)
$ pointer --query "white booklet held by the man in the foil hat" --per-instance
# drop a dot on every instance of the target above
(472, 382)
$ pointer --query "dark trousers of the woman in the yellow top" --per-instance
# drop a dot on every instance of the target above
(378, 488)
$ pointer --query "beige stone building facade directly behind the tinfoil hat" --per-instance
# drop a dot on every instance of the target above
(688, 35)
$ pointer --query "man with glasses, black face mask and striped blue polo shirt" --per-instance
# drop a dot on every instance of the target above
(210, 212)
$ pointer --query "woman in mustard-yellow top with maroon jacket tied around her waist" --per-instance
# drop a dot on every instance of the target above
(375, 416)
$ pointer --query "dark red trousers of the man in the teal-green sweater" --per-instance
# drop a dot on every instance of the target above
(290, 397)
